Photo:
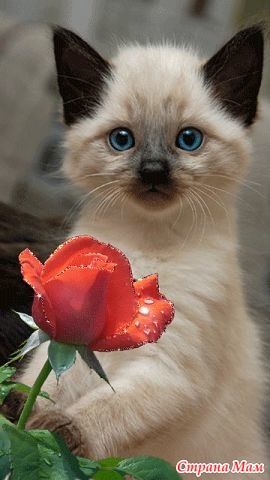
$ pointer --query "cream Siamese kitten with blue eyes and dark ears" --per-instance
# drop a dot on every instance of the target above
(160, 141)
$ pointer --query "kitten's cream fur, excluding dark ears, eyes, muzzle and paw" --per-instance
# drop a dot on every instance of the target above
(197, 393)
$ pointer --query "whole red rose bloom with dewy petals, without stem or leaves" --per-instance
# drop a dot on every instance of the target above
(85, 295)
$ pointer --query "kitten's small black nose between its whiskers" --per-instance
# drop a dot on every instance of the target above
(154, 172)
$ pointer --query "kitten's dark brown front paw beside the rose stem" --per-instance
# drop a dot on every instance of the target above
(62, 424)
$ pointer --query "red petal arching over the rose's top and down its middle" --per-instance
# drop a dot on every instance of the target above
(121, 302)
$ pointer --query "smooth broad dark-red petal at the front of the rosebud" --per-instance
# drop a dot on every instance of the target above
(80, 296)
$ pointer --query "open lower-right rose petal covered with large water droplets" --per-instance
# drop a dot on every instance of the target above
(147, 327)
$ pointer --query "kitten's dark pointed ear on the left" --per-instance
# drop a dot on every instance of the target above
(81, 74)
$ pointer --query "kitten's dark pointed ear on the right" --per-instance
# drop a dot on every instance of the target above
(235, 73)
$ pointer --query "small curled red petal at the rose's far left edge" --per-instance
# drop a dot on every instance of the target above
(31, 269)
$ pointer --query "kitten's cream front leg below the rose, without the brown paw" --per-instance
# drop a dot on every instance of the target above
(149, 397)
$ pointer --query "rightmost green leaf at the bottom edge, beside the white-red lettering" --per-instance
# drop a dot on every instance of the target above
(147, 468)
